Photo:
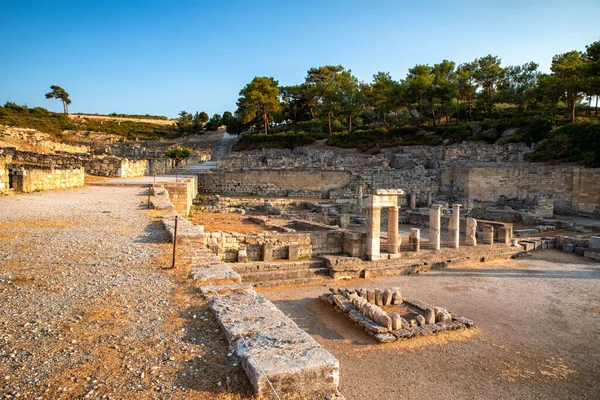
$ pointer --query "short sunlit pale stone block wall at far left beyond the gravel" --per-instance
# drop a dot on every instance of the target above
(39, 178)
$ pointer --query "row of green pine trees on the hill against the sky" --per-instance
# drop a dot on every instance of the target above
(334, 100)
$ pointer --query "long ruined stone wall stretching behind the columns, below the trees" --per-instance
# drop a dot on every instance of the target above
(464, 173)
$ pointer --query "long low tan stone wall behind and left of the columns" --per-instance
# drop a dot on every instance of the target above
(276, 183)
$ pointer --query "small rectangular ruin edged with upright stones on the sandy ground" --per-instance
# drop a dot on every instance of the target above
(404, 318)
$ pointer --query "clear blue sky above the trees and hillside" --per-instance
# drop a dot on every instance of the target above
(161, 57)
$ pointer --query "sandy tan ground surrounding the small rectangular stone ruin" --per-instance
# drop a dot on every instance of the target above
(538, 333)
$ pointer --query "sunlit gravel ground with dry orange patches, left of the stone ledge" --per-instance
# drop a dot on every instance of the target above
(87, 309)
